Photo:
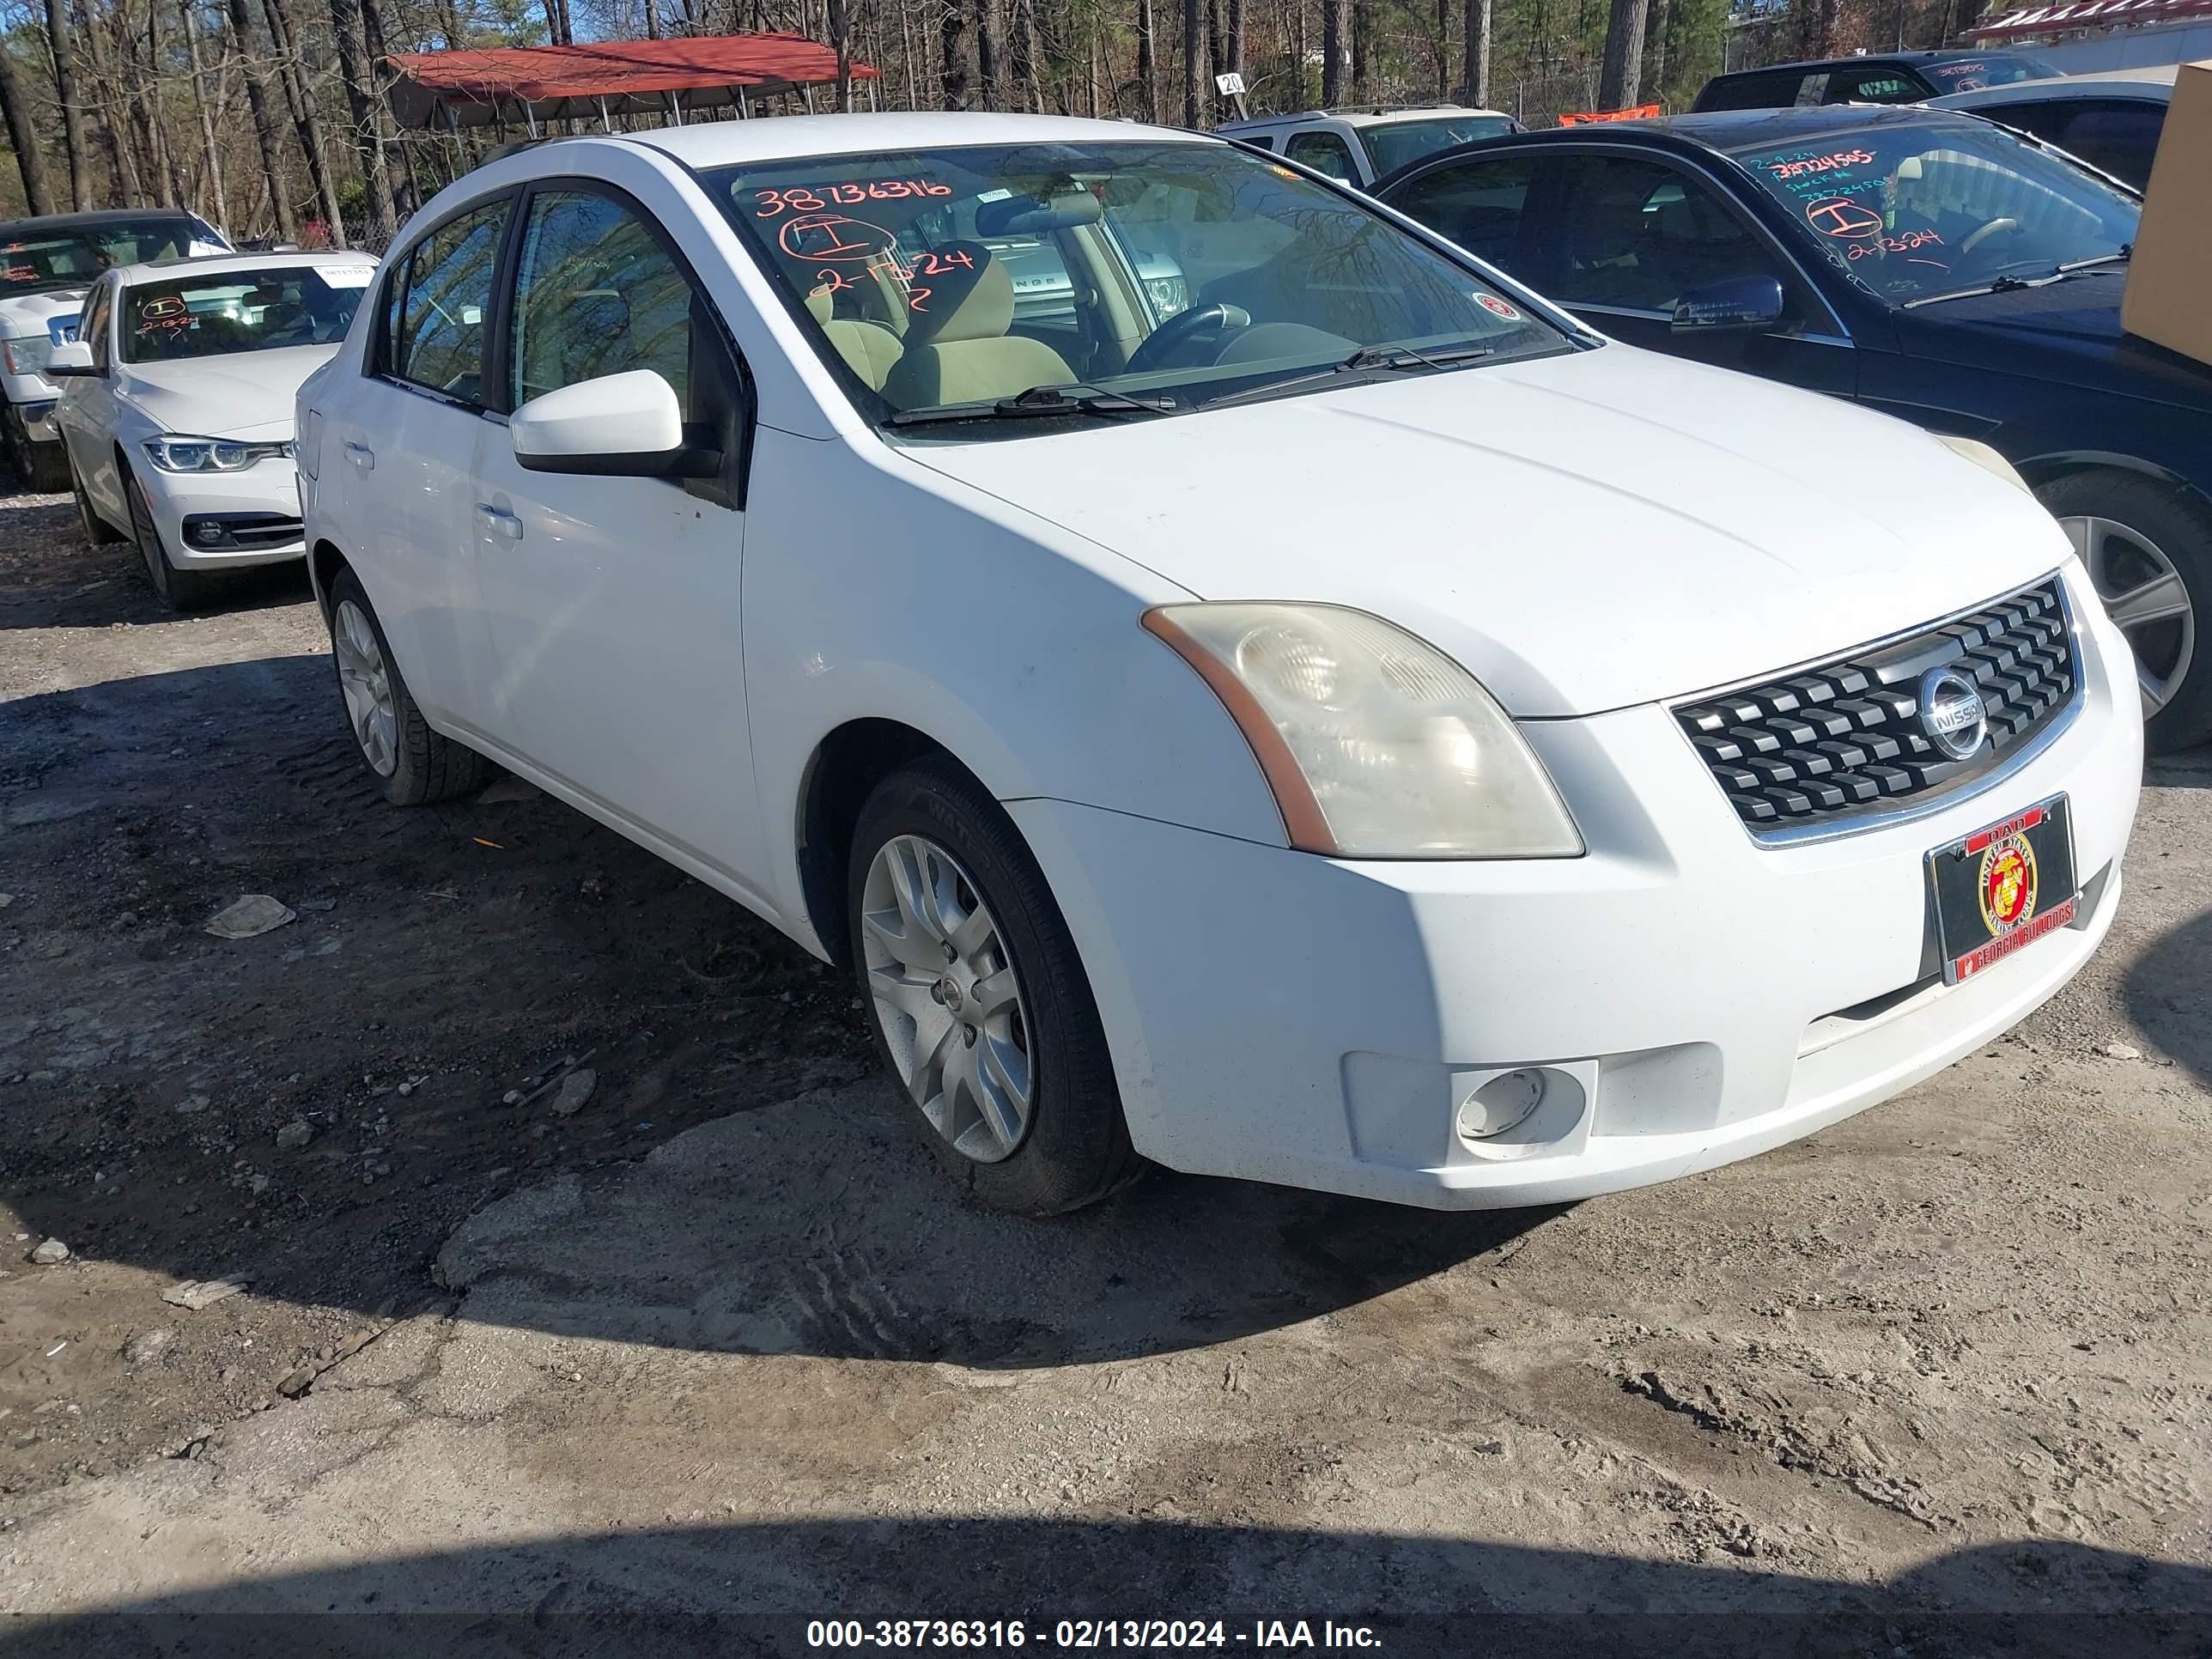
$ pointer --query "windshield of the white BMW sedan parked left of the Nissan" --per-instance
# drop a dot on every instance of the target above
(240, 311)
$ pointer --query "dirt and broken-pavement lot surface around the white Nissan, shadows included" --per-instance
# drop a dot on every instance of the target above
(716, 1342)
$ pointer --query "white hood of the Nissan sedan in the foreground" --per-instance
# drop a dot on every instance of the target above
(1583, 532)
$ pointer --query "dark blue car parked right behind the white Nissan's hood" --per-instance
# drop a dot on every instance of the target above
(1919, 262)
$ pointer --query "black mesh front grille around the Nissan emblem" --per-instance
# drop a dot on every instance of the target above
(1846, 738)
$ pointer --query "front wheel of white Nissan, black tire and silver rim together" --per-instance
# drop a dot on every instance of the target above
(979, 1001)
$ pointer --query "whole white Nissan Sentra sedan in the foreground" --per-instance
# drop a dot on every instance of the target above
(1357, 731)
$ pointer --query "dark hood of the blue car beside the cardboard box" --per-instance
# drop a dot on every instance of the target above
(2067, 333)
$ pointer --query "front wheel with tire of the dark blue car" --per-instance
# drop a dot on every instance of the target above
(2149, 554)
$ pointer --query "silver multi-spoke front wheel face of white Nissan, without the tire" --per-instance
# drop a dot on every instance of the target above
(948, 999)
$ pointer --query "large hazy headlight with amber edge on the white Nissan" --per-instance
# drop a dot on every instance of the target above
(1375, 744)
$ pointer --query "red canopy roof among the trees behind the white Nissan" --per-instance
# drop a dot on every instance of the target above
(616, 76)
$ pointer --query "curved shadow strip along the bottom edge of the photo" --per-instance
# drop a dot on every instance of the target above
(753, 1589)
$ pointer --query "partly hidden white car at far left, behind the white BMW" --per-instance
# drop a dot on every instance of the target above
(45, 269)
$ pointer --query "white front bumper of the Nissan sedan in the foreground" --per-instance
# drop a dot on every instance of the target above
(1691, 994)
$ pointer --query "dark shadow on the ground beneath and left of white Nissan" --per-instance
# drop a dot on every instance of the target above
(446, 959)
